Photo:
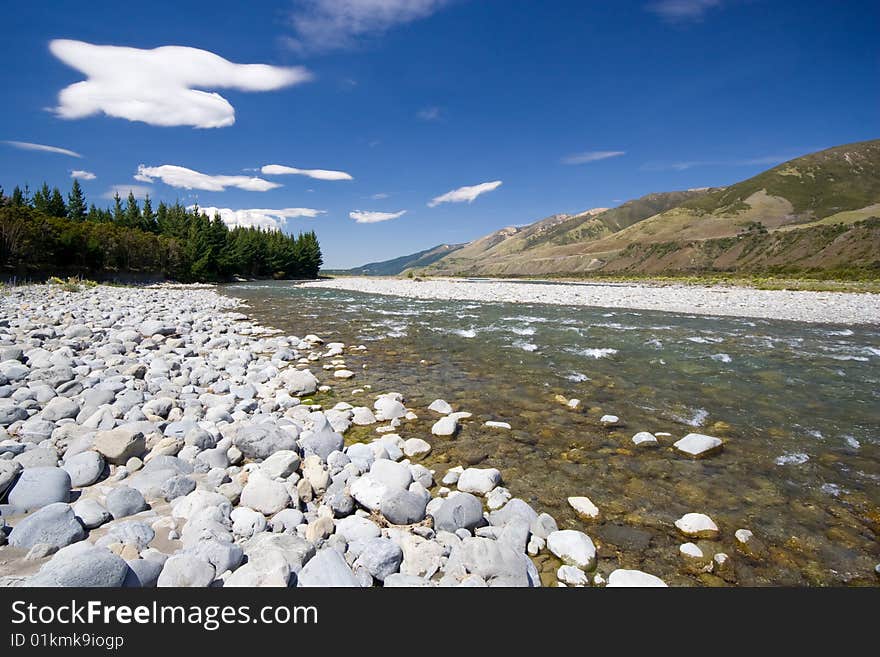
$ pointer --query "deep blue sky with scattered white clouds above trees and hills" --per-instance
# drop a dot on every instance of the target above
(391, 126)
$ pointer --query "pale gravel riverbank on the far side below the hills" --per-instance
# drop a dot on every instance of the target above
(801, 306)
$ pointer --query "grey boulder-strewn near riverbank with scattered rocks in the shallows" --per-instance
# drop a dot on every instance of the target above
(154, 437)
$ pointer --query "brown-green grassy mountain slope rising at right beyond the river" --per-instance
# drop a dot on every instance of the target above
(802, 215)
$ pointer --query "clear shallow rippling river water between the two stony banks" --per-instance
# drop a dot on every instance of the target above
(798, 406)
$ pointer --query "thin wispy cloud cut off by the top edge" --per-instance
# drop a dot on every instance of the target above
(322, 25)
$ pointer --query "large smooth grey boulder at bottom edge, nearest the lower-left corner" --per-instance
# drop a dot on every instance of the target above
(81, 565)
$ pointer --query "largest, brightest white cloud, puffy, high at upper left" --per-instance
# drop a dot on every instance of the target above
(163, 86)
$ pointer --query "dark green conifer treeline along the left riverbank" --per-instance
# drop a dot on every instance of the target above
(44, 233)
